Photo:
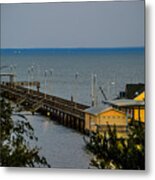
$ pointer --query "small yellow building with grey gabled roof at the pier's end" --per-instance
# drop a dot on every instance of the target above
(102, 116)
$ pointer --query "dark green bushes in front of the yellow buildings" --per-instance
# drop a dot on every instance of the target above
(111, 152)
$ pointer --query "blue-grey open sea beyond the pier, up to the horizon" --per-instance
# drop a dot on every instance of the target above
(114, 69)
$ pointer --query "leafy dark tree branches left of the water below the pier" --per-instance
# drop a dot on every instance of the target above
(15, 139)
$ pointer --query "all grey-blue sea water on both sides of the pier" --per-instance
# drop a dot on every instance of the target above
(114, 69)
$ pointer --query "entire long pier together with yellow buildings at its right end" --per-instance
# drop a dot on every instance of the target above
(75, 115)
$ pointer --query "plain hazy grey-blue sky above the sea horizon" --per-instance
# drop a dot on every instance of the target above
(73, 25)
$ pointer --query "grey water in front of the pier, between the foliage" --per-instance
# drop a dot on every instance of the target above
(62, 147)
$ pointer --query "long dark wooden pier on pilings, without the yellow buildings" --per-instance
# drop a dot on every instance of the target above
(66, 112)
